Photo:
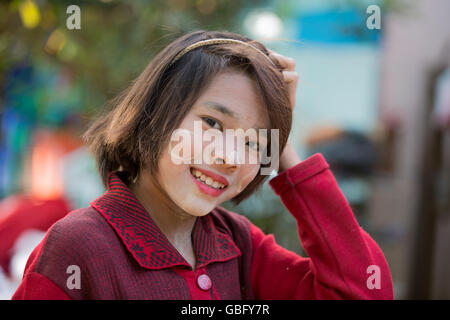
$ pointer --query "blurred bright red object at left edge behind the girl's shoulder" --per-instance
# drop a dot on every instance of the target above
(19, 213)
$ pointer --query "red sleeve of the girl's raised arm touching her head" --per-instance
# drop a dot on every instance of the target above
(343, 262)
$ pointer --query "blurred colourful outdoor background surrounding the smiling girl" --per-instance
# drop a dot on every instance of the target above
(374, 99)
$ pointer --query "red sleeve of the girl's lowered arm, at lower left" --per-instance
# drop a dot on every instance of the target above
(35, 286)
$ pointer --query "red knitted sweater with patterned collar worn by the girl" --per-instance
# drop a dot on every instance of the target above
(118, 252)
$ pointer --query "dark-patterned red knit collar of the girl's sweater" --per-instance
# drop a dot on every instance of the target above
(146, 242)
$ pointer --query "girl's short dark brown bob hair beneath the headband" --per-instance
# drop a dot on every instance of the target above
(130, 135)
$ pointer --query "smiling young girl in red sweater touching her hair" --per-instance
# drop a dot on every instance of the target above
(159, 231)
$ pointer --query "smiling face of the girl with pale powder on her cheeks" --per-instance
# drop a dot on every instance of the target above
(230, 102)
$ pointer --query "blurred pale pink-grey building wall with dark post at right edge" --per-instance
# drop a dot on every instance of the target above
(412, 195)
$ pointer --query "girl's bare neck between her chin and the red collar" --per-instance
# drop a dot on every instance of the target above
(175, 223)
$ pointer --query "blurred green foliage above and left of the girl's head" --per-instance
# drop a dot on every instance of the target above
(116, 40)
